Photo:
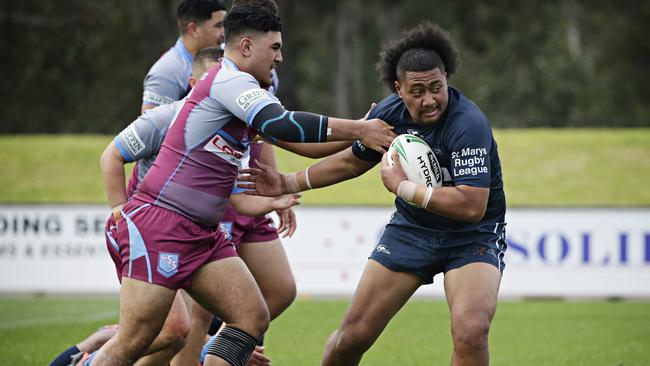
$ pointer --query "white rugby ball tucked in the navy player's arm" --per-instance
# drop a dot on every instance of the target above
(417, 159)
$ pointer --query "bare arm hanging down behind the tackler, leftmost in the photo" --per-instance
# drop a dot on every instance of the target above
(112, 167)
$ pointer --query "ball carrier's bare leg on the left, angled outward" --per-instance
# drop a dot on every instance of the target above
(379, 296)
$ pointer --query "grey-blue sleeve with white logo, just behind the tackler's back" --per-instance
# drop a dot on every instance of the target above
(143, 137)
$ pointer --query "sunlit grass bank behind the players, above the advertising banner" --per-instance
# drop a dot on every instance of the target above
(541, 167)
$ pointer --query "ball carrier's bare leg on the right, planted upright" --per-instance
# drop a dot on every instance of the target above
(471, 293)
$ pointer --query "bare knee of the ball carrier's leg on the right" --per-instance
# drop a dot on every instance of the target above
(470, 330)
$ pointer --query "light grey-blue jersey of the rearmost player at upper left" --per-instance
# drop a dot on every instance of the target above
(168, 79)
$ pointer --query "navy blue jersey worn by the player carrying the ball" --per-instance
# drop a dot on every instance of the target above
(464, 145)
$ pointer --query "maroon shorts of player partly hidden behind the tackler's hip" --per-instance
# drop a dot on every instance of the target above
(246, 229)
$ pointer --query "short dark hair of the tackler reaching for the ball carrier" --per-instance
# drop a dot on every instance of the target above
(245, 18)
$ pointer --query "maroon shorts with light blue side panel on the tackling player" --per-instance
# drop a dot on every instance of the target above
(166, 248)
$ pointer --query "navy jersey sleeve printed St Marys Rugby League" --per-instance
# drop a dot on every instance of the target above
(470, 142)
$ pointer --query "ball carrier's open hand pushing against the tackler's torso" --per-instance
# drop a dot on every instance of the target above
(262, 181)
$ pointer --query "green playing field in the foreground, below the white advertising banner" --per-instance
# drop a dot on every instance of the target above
(34, 330)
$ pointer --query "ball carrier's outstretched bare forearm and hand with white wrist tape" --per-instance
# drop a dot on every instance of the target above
(266, 181)
